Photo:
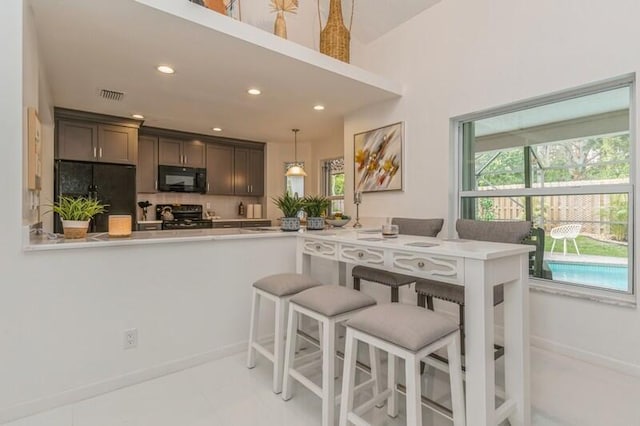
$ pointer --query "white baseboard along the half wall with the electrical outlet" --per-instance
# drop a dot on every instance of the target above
(89, 391)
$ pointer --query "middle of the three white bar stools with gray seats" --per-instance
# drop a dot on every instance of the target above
(329, 305)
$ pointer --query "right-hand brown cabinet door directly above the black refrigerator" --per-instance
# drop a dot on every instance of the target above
(117, 144)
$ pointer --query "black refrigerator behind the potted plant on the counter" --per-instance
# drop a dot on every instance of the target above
(112, 184)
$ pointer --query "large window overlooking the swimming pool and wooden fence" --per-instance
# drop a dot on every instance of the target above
(564, 163)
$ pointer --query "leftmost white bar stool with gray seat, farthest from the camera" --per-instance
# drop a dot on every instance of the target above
(278, 288)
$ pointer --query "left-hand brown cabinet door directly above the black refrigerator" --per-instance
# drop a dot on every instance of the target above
(77, 140)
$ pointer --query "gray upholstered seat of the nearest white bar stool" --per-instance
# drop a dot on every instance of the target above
(410, 327)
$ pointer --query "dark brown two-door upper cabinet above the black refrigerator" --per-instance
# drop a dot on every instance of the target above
(84, 136)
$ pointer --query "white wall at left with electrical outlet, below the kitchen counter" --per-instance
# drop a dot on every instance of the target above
(63, 313)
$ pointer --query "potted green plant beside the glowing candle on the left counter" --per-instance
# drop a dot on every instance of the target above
(75, 214)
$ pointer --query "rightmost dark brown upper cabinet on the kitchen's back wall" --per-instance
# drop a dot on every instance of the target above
(249, 171)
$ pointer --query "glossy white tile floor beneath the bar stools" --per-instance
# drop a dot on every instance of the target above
(224, 392)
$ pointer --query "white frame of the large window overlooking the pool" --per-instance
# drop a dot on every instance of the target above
(628, 298)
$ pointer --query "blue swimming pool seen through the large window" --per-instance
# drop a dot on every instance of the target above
(614, 277)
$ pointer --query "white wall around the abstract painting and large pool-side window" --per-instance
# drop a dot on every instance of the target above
(463, 56)
